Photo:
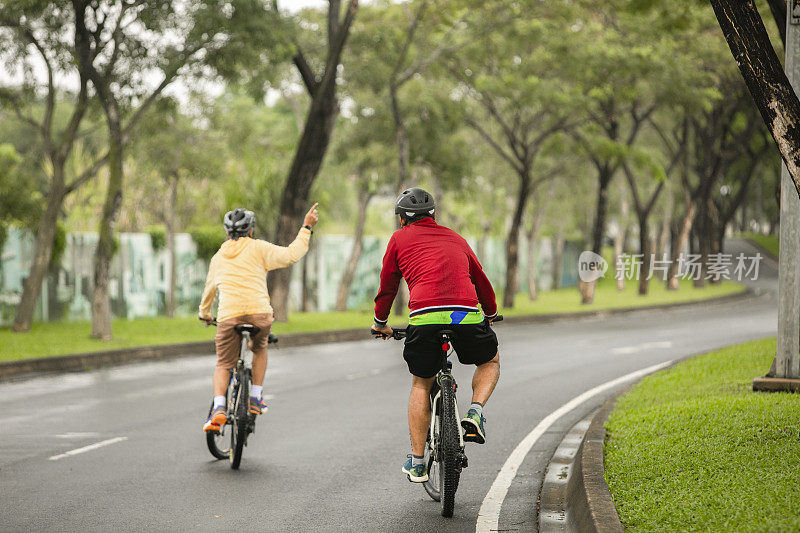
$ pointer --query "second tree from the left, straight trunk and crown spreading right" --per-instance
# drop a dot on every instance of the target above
(119, 40)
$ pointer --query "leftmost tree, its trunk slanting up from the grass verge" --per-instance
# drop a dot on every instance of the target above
(44, 33)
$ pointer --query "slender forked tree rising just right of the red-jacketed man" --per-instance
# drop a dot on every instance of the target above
(513, 107)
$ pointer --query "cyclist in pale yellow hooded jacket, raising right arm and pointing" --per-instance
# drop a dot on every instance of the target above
(238, 271)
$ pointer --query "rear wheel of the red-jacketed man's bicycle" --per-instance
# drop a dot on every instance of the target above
(450, 447)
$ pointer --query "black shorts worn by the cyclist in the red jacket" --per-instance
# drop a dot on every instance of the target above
(475, 344)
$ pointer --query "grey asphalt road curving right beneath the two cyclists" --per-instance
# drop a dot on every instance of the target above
(327, 456)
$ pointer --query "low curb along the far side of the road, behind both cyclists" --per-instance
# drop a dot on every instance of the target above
(88, 361)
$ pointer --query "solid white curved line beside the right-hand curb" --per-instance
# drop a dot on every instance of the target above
(489, 513)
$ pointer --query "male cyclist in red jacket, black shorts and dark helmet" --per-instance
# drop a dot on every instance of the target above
(446, 283)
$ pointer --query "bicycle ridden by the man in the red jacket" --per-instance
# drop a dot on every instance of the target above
(444, 447)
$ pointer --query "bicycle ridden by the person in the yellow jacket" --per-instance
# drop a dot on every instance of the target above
(242, 423)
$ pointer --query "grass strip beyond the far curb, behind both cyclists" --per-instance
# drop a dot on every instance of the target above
(59, 338)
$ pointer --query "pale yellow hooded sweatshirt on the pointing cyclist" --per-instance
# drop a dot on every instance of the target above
(239, 271)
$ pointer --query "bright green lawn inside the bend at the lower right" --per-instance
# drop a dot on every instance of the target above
(692, 448)
